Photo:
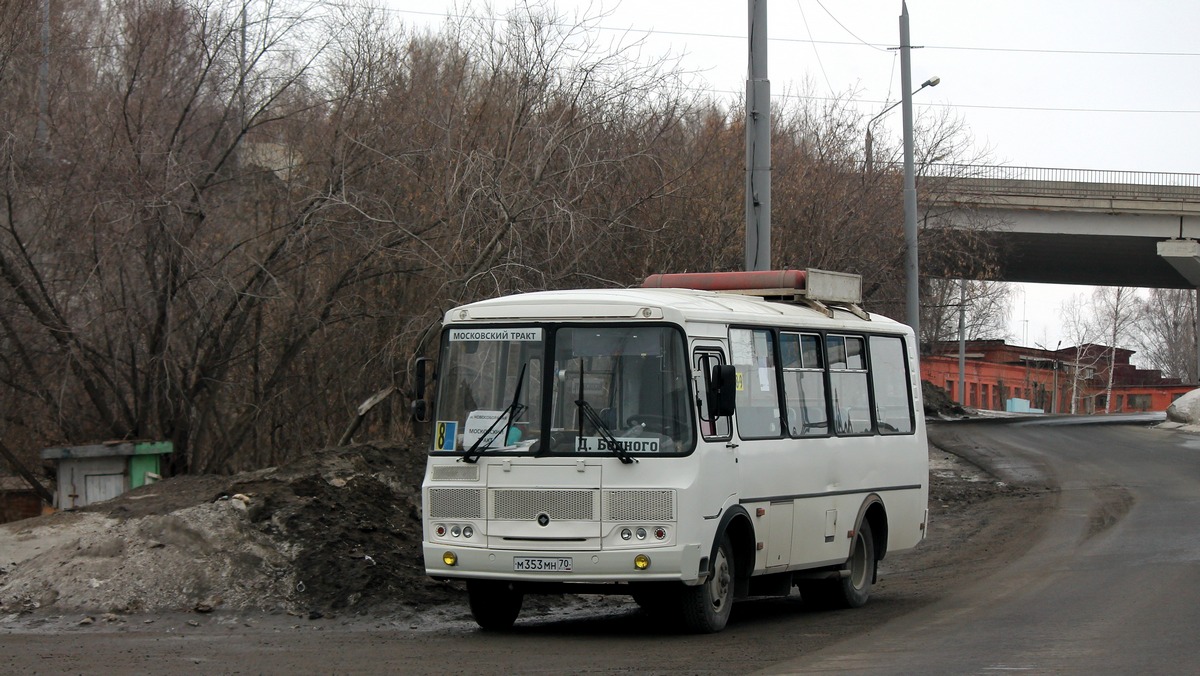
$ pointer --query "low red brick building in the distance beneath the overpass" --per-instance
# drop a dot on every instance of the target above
(1006, 378)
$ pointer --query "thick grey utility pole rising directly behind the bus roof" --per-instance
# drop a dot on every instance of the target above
(758, 143)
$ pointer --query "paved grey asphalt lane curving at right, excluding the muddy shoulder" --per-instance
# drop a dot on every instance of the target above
(1111, 585)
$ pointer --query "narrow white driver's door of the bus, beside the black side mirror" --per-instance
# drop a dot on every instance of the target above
(718, 480)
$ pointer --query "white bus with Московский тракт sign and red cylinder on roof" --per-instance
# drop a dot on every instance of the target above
(704, 439)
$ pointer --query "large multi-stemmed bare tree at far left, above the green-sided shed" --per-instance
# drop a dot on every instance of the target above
(134, 274)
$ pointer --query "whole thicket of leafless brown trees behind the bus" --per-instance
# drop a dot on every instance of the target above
(251, 217)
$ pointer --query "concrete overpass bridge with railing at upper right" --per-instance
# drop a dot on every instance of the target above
(1078, 226)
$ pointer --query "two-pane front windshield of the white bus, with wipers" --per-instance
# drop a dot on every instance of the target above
(620, 391)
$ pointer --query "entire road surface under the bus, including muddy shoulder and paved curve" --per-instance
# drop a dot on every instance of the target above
(1093, 570)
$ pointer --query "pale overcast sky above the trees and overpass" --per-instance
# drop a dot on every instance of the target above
(1083, 85)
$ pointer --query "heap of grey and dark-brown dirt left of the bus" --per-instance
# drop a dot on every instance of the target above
(338, 531)
